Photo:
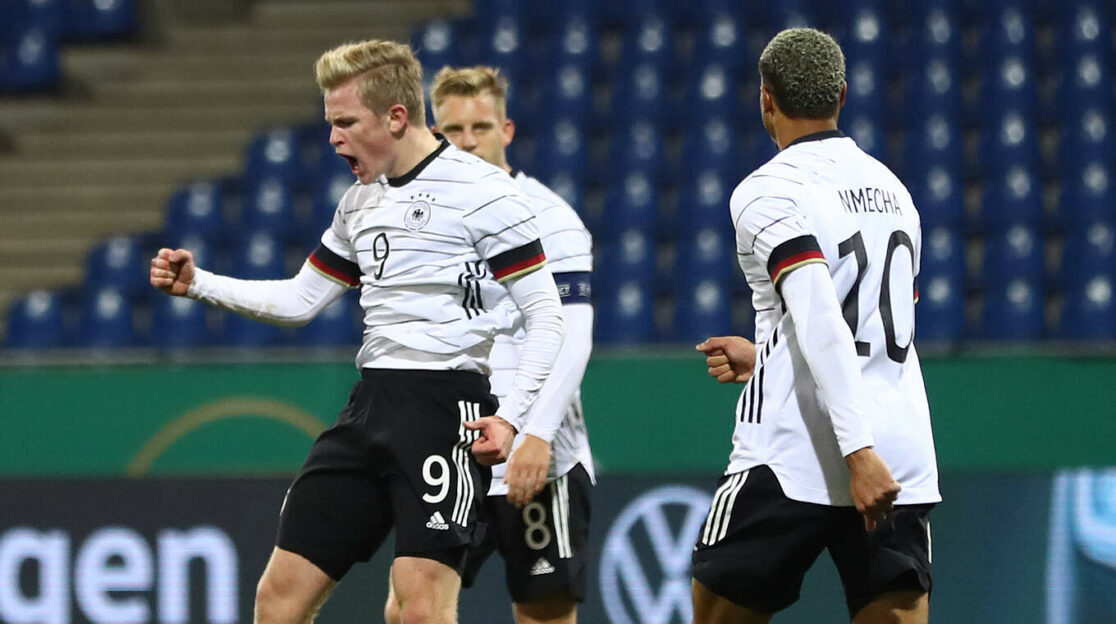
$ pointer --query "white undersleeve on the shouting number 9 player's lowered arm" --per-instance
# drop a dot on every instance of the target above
(537, 299)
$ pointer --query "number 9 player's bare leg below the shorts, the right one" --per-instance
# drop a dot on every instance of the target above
(426, 589)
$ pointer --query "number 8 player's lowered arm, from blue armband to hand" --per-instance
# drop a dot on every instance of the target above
(531, 462)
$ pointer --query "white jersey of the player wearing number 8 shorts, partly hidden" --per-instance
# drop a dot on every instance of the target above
(569, 247)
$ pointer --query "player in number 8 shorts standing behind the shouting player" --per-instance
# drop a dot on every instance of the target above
(543, 532)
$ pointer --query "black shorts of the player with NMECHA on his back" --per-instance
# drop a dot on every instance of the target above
(757, 545)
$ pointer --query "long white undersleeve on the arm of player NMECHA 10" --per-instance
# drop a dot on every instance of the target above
(826, 343)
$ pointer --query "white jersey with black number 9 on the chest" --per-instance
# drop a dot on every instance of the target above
(428, 252)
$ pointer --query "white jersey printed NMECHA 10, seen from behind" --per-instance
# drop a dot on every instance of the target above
(824, 200)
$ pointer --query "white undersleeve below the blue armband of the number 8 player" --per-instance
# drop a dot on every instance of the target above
(565, 379)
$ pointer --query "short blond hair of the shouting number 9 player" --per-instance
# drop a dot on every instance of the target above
(390, 75)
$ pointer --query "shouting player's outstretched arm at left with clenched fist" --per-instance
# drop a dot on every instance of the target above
(291, 302)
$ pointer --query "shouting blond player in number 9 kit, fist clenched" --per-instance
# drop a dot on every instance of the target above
(435, 238)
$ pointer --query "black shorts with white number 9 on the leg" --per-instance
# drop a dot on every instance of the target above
(398, 457)
